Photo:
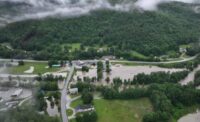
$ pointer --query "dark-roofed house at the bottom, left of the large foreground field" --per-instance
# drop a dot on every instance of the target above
(84, 108)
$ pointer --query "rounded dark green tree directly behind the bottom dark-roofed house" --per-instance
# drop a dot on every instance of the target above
(87, 97)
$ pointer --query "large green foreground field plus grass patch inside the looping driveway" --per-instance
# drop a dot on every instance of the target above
(120, 110)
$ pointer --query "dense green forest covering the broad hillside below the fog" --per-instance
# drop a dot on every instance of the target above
(121, 33)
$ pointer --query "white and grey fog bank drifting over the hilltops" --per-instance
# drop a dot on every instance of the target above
(17, 10)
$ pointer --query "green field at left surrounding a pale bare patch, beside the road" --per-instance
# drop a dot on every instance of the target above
(39, 67)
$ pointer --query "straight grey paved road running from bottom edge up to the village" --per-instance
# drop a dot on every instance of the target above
(64, 95)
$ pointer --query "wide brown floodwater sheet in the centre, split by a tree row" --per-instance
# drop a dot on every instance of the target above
(125, 72)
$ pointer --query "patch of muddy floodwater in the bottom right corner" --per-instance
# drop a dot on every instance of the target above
(193, 117)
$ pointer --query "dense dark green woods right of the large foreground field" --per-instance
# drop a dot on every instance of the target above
(167, 99)
